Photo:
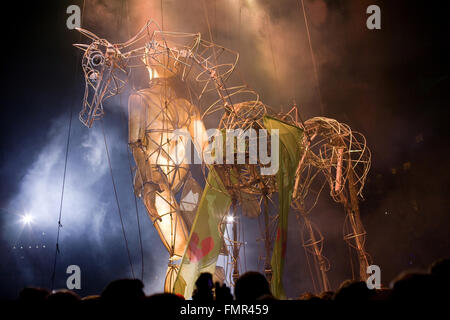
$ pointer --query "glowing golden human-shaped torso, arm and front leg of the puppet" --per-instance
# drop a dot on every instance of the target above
(154, 113)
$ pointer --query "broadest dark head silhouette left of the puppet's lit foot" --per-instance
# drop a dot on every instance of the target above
(123, 290)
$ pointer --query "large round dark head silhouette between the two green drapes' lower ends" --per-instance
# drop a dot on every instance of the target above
(251, 286)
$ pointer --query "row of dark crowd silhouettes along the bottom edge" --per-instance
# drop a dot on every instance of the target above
(408, 286)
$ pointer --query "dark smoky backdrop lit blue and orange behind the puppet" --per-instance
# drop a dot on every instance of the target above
(390, 84)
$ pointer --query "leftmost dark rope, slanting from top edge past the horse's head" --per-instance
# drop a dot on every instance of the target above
(57, 251)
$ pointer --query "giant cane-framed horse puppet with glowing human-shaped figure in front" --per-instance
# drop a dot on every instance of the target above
(329, 151)
